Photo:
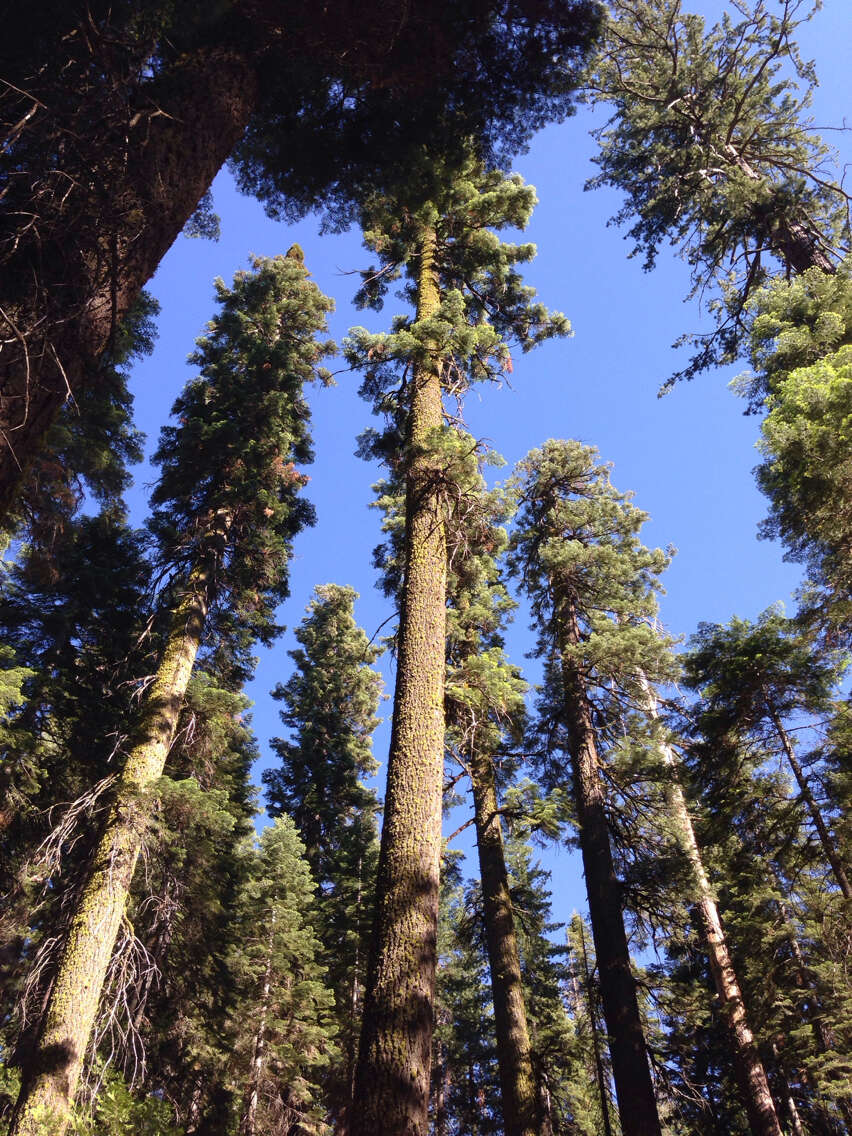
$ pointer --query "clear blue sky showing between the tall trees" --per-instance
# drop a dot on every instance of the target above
(688, 457)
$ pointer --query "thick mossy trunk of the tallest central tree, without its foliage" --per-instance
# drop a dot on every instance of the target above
(392, 1083)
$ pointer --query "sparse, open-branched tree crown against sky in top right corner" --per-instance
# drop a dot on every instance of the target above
(711, 141)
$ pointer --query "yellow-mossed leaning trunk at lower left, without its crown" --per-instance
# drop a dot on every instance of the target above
(52, 1077)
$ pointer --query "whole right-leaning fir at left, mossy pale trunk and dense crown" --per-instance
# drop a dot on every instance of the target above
(227, 509)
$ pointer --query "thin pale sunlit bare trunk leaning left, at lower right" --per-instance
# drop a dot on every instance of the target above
(750, 1073)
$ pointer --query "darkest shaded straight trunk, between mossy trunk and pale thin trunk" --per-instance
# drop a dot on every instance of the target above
(631, 1072)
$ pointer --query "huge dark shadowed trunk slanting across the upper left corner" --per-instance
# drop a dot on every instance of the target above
(177, 141)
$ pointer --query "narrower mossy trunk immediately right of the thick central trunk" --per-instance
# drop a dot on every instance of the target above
(517, 1081)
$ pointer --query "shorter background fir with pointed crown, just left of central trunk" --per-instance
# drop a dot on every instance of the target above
(331, 705)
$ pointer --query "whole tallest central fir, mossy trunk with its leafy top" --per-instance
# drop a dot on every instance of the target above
(470, 307)
